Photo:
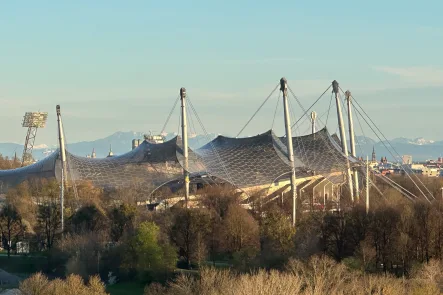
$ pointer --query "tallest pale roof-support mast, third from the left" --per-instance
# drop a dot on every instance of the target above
(284, 90)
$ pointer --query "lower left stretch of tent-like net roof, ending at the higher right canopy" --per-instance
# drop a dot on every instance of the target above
(148, 166)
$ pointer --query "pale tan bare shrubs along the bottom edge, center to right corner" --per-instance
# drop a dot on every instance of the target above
(320, 275)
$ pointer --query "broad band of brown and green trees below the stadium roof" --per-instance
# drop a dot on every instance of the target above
(114, 238)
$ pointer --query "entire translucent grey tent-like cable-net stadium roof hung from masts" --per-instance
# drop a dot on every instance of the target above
(243, 162)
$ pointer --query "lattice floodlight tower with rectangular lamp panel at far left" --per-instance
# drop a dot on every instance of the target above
(33, 121)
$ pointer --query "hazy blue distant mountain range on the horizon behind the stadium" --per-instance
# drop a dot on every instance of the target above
(419, 148)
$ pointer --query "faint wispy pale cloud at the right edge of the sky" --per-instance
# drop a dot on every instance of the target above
(417, 76)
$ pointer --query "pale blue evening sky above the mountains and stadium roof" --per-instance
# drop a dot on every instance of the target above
(119, 65)
